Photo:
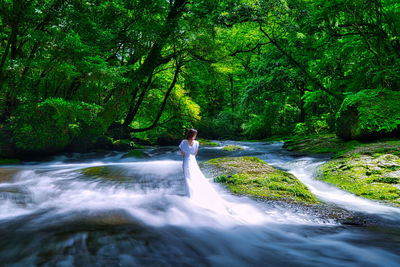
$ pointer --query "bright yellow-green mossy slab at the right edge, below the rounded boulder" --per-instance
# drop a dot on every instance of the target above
(370, 171)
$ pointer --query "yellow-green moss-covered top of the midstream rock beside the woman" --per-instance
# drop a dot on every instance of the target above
(253, 177)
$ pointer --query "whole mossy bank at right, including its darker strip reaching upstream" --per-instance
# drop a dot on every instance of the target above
(369, 169)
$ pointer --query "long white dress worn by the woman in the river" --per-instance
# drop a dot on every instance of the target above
(200, 191)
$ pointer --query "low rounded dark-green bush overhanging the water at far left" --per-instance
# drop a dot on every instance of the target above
(52, 125)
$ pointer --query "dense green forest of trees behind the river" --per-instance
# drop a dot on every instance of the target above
(76, 75)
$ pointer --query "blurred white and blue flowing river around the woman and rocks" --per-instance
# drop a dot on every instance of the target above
(133, 212)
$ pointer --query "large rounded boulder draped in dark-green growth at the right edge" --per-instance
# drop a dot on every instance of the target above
(369, 114)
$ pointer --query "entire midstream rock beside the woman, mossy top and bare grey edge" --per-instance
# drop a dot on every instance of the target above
(252, 177)
